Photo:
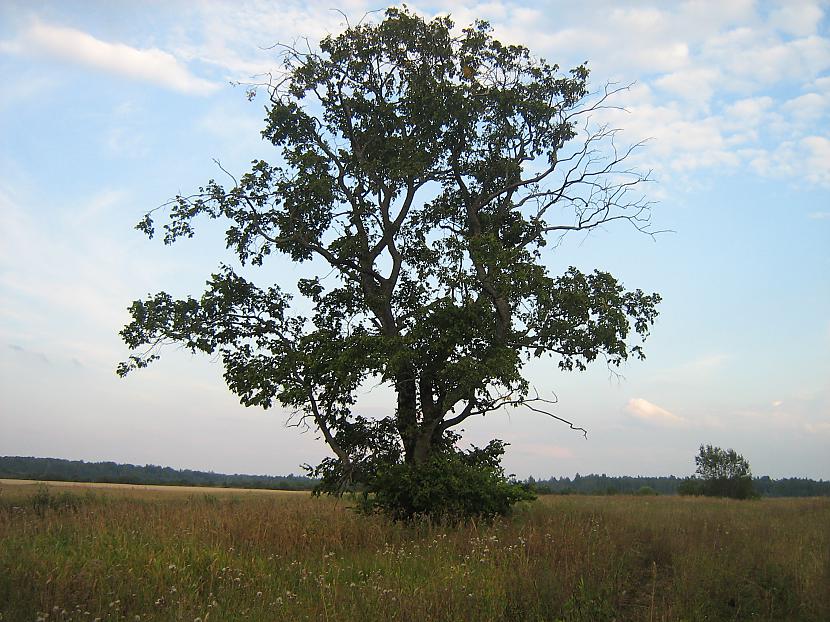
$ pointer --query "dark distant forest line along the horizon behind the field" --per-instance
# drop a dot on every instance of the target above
(56, 469)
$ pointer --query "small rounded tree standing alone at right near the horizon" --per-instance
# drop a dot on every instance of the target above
(719, 473)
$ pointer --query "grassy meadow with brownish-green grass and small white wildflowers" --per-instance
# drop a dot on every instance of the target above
(132, 553)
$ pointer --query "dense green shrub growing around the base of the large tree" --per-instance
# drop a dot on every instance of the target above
(452, 486)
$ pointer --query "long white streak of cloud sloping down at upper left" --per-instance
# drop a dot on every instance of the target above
(149, 65)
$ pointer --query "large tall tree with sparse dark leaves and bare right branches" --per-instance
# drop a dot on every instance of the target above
(421, 173)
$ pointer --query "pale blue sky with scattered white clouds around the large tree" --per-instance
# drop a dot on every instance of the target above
(108, 109)
